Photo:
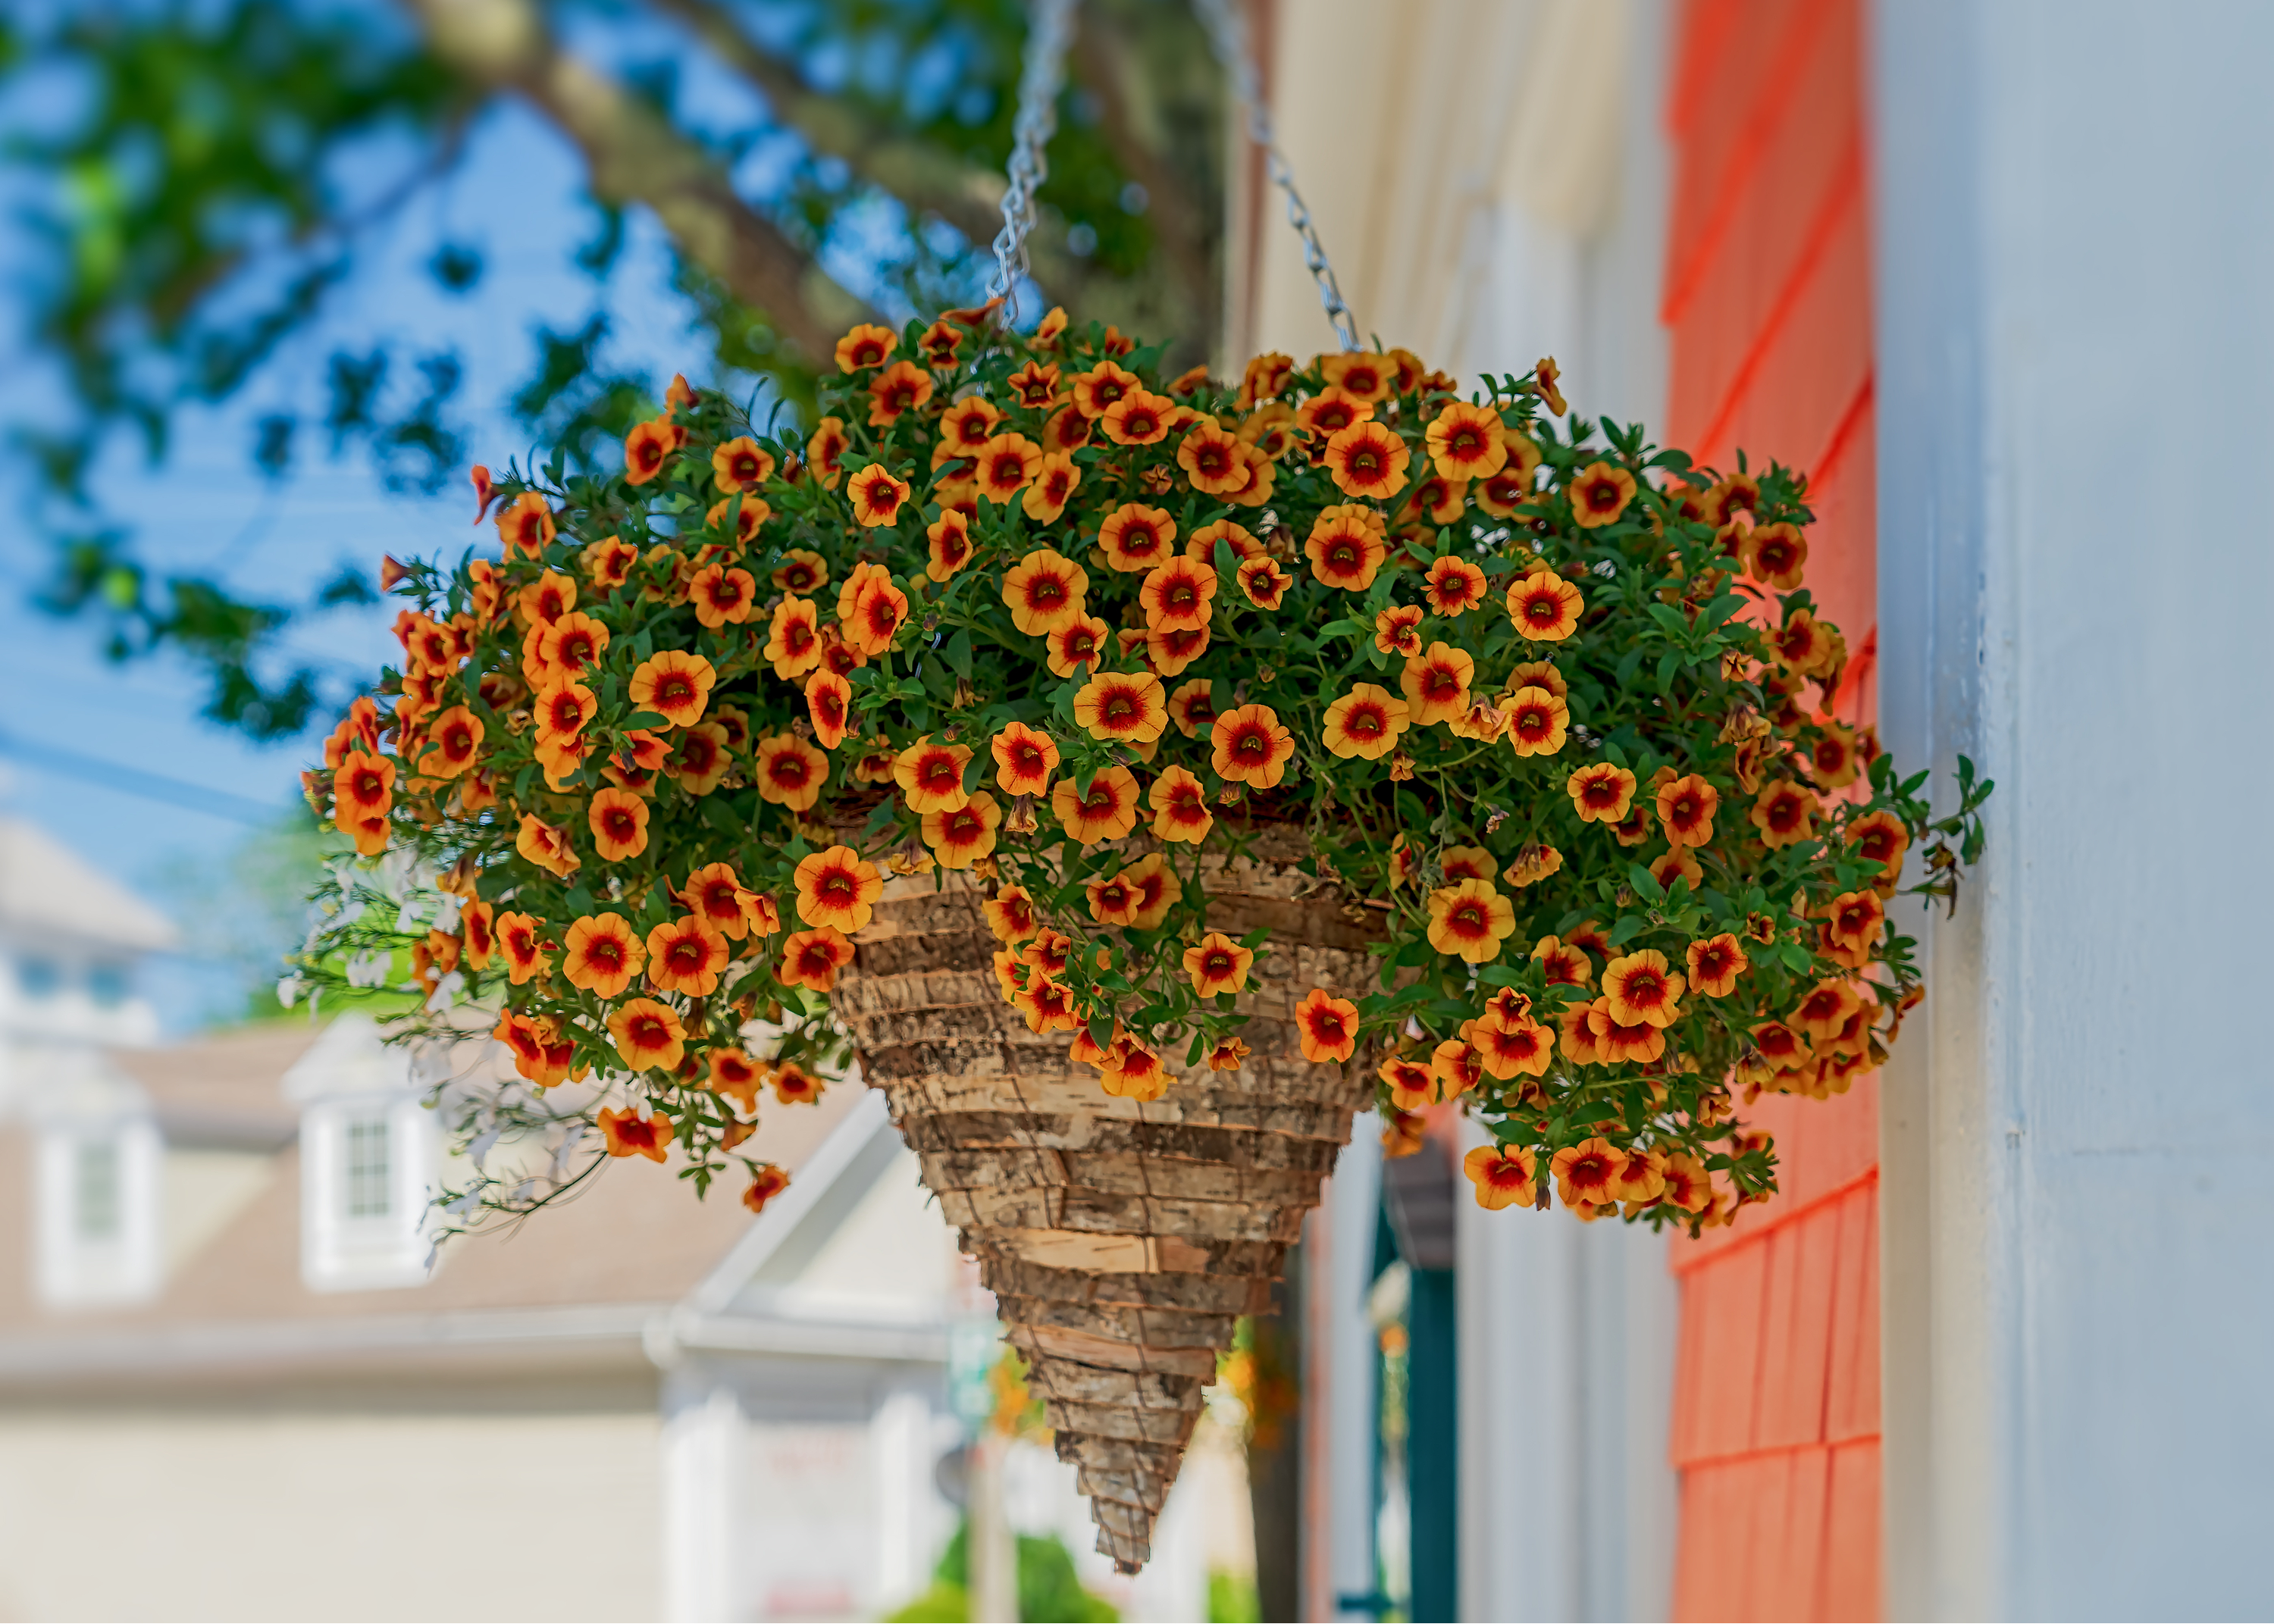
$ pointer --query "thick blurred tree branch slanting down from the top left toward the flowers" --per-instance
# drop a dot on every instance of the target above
(633, 156)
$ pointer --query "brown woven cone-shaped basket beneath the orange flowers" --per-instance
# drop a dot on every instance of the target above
(1122, 1241)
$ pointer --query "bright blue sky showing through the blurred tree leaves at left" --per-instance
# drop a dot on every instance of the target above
(208, 508)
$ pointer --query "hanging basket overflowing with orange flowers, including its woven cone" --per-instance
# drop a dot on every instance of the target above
(1140, 774)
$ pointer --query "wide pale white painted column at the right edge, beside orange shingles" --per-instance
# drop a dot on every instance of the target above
(2077, 399)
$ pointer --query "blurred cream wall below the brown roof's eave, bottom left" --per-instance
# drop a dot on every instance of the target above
(326, 1516)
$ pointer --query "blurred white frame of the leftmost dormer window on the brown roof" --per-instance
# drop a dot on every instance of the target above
(124, 1266)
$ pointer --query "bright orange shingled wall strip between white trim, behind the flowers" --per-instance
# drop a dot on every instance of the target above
(1768, 297)
